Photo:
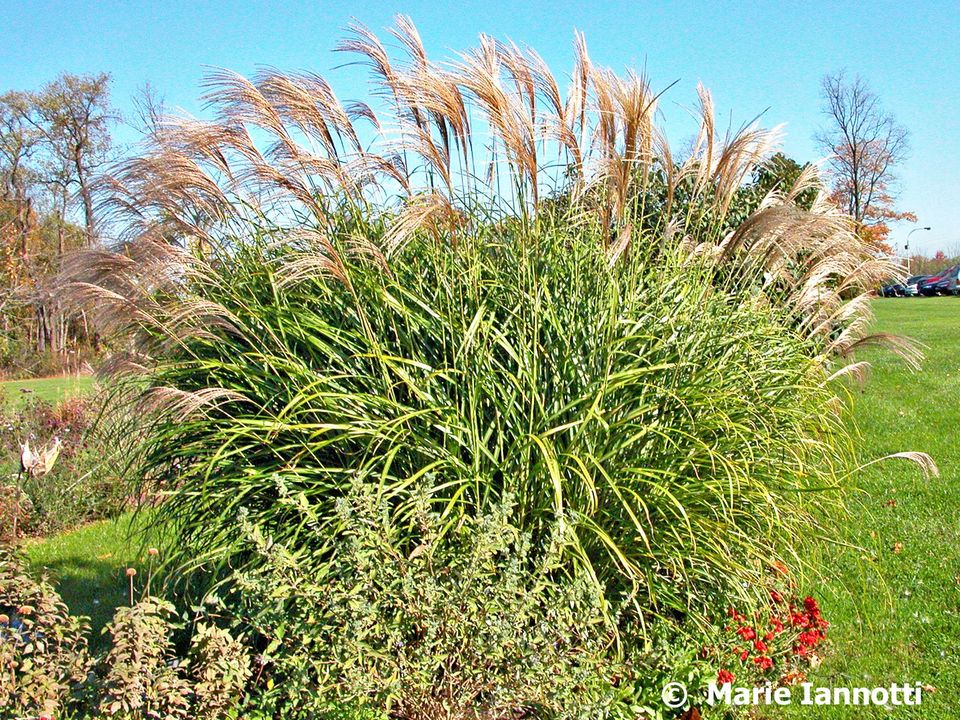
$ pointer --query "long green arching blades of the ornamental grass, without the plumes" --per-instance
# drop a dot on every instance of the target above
(672, 429)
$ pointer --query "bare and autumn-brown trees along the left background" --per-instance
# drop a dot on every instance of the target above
(53, 144)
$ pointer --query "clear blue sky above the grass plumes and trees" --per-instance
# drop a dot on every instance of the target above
(760, 57)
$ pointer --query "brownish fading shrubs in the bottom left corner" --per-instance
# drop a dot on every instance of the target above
(47, 671)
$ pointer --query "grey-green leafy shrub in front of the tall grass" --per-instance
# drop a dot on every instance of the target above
(477, 626)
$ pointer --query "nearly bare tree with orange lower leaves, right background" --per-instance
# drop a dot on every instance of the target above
(865, 144)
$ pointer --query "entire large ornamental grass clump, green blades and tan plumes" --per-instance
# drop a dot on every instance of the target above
(481, 291)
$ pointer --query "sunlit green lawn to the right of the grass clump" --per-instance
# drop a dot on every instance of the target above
(895, 607)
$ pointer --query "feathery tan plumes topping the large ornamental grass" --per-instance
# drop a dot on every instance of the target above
(600, 151)
